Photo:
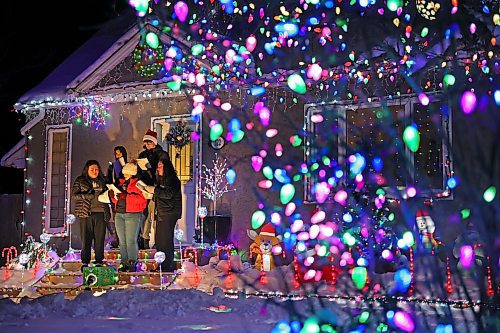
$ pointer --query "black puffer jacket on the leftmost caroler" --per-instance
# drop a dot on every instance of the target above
(83, 193)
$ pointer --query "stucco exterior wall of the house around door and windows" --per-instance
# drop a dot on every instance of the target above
(129, 121)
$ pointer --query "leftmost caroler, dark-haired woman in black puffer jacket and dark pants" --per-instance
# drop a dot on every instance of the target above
(92, 214)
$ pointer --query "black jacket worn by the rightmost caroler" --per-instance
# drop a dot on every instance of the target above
(168, 196)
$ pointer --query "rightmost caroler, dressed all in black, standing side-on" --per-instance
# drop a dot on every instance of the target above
(168, 200)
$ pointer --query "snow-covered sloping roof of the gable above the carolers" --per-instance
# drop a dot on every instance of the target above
(55, 86)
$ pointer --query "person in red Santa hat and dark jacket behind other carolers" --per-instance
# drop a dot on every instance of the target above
(153, 152)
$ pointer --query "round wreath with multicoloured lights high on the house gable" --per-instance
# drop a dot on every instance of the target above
(148, 62)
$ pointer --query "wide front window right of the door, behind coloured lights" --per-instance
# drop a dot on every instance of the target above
(376, 130)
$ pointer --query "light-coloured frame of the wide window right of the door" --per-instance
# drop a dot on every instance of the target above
(409, 103)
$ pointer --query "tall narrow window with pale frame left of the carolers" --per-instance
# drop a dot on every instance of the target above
(57, 187)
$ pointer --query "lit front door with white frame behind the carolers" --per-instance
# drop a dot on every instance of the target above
(183, 159)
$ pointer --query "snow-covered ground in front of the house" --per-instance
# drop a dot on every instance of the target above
(197, 301)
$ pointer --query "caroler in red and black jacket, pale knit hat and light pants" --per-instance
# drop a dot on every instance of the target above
(129, 205)
